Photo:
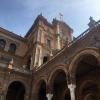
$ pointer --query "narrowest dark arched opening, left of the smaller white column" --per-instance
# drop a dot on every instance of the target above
(42, 91)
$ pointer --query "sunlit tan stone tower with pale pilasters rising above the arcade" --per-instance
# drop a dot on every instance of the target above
(45, 39)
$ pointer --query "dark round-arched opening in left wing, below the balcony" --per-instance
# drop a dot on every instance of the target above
(16, 91)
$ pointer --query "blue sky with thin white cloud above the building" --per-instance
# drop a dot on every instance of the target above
(18, 15)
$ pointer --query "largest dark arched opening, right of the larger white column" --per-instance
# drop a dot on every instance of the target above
(87, 69)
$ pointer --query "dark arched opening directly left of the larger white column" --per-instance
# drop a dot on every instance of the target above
(59, 87)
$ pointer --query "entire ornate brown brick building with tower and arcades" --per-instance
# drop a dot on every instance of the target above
(48, 64)
